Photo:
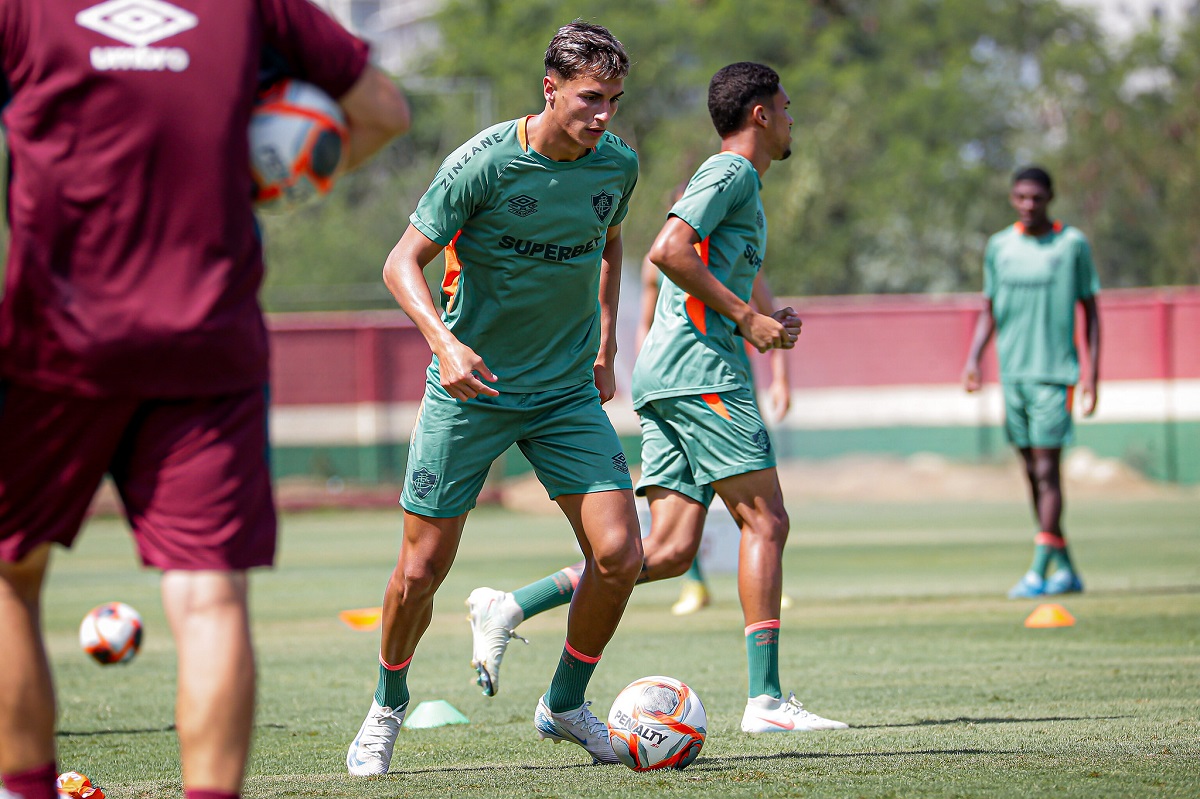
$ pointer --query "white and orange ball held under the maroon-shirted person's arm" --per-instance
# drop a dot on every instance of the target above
(297, 139)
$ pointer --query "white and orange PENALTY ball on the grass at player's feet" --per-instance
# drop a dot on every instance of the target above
(657, 723)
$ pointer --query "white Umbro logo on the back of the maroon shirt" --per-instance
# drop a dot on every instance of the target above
(139, 23)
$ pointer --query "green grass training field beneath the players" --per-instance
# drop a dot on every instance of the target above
(902, 629)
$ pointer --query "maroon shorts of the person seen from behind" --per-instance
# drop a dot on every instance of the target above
(193, 474)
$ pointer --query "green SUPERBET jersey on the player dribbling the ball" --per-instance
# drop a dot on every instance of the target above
(524, 238)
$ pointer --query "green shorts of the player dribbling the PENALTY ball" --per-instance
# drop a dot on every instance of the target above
(565, 434)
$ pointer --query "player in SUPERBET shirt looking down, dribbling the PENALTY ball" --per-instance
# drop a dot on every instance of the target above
(529, 214)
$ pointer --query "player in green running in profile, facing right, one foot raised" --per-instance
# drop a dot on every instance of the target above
(694, 392)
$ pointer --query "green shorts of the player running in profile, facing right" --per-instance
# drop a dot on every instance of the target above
(694, 441)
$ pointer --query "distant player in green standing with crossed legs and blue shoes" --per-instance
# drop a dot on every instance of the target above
(1035, 274)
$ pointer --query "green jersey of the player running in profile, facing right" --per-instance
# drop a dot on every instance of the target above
(691, 349)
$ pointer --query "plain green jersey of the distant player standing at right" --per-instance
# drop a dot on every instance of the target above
(1034, 284)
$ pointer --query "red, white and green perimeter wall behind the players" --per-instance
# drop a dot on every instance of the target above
(345, 382)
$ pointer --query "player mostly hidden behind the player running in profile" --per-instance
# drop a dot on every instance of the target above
(695, 597)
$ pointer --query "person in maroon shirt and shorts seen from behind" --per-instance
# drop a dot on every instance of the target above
(131, 339)
